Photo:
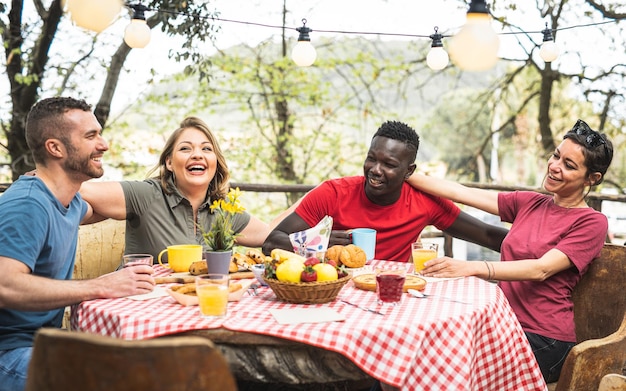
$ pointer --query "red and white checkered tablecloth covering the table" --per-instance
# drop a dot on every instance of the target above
(419, 344)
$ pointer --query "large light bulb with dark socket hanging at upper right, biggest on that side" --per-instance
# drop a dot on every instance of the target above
(475, 47)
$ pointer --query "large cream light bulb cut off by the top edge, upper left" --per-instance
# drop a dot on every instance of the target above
(95, 15)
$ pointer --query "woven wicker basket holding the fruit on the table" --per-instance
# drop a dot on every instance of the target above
(307, 292)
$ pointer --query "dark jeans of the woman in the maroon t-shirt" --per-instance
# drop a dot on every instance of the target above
(550, 354)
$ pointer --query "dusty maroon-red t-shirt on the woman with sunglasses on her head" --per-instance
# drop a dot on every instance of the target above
(538, 225)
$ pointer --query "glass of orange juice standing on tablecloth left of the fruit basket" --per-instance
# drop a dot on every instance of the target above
(212, 291)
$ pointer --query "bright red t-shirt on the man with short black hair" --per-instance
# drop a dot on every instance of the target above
(397, 225)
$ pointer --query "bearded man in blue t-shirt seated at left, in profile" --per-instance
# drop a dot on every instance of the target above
(40, 217)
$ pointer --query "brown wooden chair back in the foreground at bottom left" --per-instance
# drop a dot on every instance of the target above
(66, 360)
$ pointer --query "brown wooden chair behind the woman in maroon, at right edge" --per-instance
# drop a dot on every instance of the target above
(599, 310)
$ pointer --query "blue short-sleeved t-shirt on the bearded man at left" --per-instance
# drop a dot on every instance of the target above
(39, 231)
